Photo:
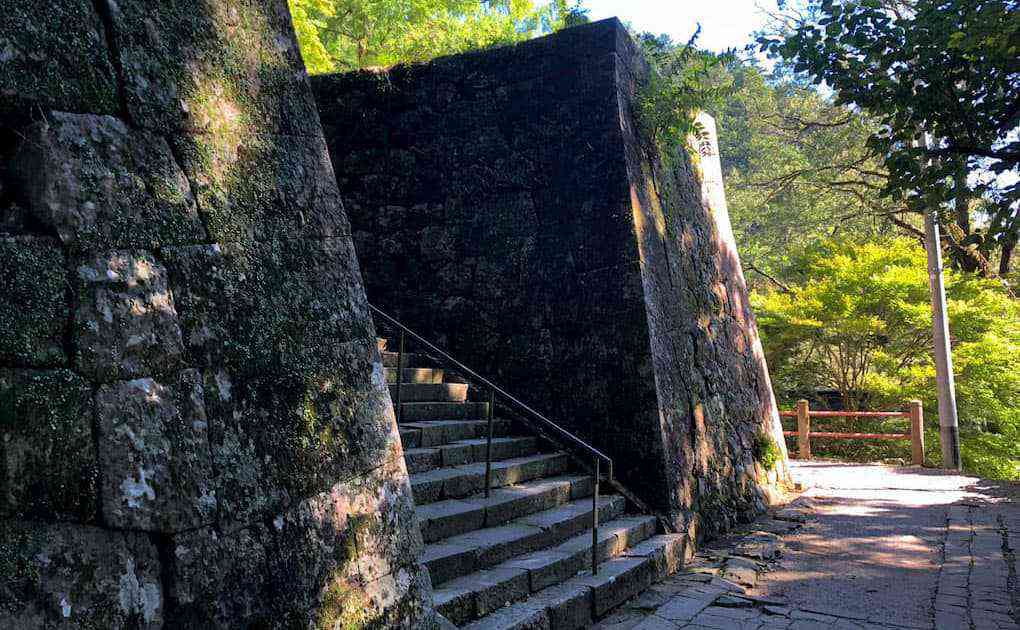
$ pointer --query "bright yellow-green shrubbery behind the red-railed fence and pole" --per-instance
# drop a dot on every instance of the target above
(859, 322)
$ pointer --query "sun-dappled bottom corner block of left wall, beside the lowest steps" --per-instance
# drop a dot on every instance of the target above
(347, 558)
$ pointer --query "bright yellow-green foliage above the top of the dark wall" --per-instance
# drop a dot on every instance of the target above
(347, 35)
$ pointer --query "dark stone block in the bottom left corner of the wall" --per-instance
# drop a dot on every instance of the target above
(69, 576)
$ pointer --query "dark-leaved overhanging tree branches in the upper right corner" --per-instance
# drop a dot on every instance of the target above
(949, 69)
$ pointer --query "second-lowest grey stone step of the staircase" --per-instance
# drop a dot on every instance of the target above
(475, 596)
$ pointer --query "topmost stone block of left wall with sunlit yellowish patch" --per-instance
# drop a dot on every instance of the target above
(220, 68)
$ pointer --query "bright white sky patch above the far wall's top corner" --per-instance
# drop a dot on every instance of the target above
(726, 24)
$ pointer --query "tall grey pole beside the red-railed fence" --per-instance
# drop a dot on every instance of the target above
(949, 424)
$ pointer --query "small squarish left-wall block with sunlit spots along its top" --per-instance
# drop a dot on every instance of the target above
(126, 325)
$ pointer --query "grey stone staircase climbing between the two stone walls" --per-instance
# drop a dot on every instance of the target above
(522, 558)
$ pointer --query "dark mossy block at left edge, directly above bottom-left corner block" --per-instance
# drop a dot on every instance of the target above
(47, 455)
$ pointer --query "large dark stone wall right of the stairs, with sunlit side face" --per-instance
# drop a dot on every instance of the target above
(502, 204)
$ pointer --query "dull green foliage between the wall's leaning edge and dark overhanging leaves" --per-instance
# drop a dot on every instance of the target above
(797, 169)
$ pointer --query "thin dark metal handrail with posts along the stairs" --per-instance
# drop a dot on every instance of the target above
(494, 390)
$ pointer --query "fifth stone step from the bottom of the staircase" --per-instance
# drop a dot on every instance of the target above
(463, 482)
